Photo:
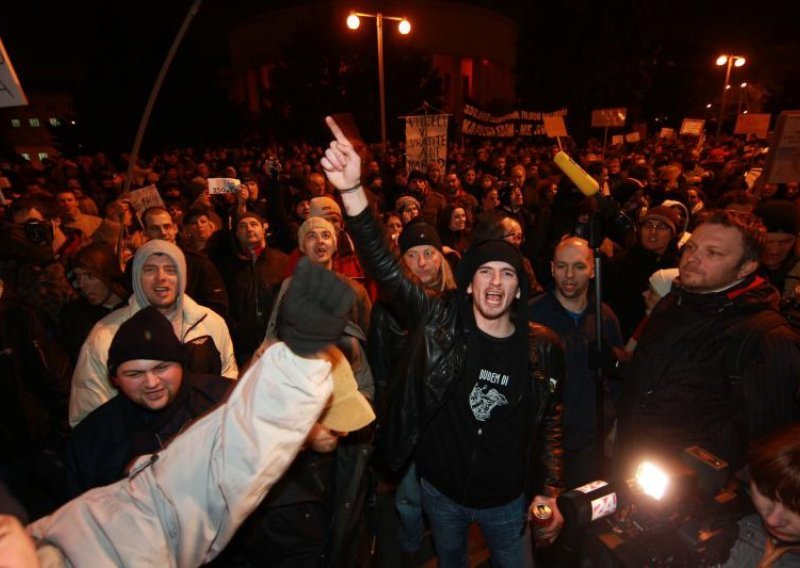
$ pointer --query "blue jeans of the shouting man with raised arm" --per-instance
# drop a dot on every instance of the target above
(503, 529)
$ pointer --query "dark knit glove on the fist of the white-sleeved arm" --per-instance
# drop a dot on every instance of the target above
(315, 308)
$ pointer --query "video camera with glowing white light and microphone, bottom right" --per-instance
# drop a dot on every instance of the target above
(678, 513)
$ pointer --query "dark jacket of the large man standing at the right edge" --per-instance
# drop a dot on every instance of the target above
(680, 390)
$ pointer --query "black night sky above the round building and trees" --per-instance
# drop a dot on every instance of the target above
(50, 42)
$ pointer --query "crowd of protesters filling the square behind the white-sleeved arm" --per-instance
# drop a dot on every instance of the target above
(82, 273)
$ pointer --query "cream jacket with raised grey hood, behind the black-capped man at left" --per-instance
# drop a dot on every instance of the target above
(203, 332)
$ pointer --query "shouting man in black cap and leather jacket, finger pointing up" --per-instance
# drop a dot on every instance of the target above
(477, 397)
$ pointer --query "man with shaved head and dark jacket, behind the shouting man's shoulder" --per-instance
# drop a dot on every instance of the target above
(570, 310)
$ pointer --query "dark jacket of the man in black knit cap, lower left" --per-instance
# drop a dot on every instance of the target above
(110, 437)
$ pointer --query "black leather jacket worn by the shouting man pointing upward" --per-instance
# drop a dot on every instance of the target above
(436, 354)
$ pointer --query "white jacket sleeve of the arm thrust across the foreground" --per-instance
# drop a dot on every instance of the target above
(183, 508)
